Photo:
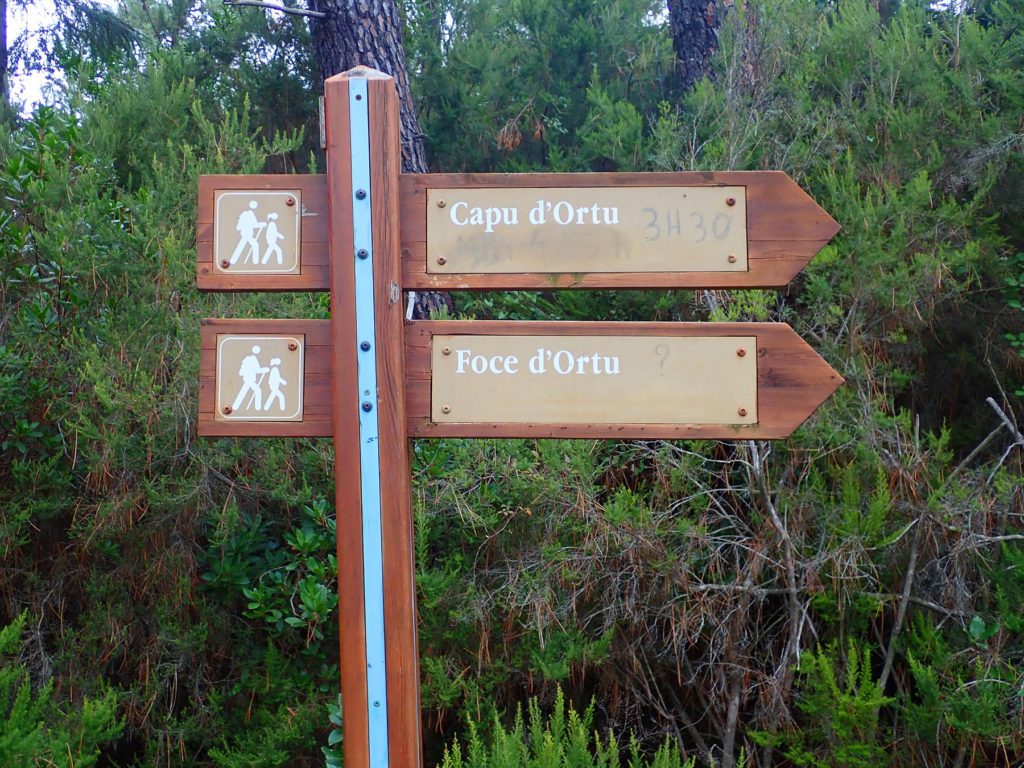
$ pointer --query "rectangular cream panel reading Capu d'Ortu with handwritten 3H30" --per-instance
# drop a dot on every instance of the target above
(605, 230)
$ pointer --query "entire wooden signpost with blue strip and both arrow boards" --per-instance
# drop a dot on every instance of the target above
(370, 379)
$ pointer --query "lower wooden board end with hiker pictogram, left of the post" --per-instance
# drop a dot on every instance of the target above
(266, 378)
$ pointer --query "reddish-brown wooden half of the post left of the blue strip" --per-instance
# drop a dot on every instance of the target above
(349, 503)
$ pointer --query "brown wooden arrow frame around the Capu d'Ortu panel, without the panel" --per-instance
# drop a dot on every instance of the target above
(785, 230)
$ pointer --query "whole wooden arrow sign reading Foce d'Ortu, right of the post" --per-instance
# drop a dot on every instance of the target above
(643, 380)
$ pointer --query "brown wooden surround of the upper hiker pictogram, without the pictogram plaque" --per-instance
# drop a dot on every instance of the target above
(314, 255)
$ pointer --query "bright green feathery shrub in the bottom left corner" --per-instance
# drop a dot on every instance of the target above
(33, 731)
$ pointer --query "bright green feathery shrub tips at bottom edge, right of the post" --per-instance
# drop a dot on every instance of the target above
(562, 740)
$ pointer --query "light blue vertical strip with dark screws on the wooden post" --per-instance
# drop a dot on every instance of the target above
(373, 565)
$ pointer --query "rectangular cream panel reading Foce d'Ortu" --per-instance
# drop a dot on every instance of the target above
(594, 380)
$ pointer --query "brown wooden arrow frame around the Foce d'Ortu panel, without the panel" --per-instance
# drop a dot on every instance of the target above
(793, 380)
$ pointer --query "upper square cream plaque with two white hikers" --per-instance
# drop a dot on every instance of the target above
(258, 232)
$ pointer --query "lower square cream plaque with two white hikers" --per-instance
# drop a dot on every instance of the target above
(260, 378)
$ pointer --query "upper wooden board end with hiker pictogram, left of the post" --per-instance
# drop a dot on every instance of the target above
(263, 233)
